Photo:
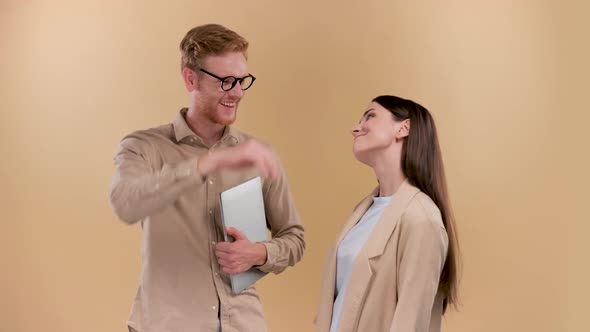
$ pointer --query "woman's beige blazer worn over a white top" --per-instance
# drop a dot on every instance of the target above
(394, 280)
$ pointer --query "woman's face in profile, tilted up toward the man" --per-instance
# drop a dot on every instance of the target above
(376, 132)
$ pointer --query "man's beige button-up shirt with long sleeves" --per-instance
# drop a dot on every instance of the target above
(182, 287)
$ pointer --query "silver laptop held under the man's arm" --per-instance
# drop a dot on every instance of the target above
(242, 207)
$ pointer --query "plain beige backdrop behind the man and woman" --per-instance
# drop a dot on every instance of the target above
(507, 82)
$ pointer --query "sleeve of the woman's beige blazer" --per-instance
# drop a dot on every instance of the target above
(422, 251)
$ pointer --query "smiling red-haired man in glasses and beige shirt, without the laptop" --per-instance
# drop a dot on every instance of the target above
(169, 179)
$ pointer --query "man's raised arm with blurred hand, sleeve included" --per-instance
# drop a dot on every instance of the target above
(140, 189)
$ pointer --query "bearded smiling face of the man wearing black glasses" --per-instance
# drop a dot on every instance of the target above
(212, 102)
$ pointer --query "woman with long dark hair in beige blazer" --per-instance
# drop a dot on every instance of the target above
(395, 264)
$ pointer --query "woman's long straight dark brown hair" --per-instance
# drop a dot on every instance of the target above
(422, 165)
